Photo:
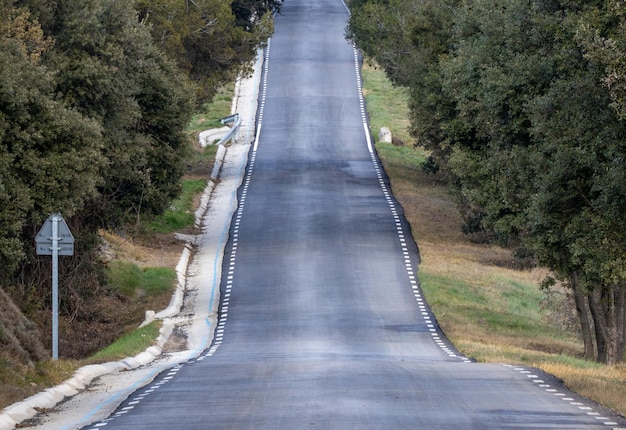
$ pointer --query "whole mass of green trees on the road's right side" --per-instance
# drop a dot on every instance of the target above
(522, 105)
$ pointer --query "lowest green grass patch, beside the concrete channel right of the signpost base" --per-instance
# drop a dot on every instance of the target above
(129, 344)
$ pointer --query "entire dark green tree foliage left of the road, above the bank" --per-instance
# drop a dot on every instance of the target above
(93, 114)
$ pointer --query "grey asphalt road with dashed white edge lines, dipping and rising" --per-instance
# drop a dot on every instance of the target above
(322, 323)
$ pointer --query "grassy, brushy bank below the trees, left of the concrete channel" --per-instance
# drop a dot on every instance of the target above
(139, 274)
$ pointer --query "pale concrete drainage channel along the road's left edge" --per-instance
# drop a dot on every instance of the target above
(218, 201)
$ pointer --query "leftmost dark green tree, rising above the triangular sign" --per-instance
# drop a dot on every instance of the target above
(49, 154)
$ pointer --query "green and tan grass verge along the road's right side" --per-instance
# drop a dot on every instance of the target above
(490, 311)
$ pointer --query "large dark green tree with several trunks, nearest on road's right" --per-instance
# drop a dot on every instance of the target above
(545, 137)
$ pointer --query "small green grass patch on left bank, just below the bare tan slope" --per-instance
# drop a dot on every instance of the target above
(130, 280)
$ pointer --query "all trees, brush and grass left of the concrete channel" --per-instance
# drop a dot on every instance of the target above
(96, 99)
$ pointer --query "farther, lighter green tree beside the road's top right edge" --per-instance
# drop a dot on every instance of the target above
(408, 38)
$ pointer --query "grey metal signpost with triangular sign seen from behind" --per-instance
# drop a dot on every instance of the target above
(55, 238)
